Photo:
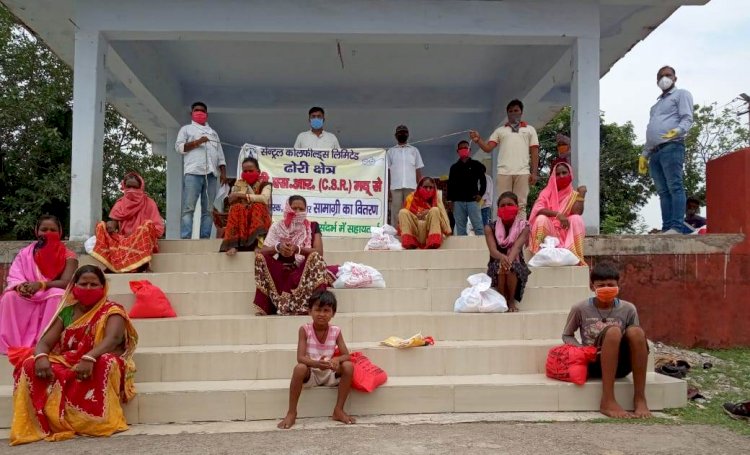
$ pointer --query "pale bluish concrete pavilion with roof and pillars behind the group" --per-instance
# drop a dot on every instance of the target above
(439, 66)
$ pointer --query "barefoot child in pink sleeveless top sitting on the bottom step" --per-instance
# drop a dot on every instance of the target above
(316, 363)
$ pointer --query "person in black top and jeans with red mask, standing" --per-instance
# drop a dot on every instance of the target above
(466, 185)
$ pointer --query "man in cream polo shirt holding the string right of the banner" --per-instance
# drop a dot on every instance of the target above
(518, 156)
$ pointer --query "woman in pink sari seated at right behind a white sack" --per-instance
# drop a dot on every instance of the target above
(557, 212)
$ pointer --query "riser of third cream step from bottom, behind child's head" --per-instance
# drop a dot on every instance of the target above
(357, 327)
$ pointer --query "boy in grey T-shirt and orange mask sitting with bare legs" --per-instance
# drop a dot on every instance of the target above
(612, 326)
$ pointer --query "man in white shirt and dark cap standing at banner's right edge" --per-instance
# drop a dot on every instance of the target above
(404, 171)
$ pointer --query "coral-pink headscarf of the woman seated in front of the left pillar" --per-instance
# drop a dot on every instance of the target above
(134, 208)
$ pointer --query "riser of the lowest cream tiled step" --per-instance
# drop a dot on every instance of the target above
(166, 402)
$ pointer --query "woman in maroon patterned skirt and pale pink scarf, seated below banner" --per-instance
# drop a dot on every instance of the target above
(290, 266)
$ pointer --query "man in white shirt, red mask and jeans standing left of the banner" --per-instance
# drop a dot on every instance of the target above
(203, 162)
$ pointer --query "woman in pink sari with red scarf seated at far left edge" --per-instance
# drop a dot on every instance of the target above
(36, 282)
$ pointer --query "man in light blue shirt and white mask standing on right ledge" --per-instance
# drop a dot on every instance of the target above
(671, 119)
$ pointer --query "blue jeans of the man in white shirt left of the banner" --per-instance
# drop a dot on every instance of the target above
(193, 187)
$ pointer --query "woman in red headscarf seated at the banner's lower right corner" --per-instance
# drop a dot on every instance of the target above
(423, 220)
